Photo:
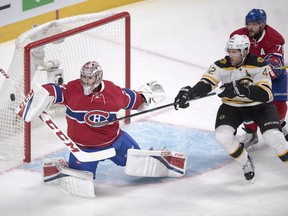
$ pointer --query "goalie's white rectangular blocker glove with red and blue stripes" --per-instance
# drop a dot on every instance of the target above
(35, 103)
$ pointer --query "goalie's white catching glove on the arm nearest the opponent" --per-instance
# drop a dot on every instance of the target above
(152, 92)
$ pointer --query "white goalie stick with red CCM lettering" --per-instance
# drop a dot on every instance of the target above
(70, 144)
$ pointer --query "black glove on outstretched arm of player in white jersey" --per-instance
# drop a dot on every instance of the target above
(184, 95)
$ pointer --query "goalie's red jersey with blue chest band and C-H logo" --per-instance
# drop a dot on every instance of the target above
(84, 111)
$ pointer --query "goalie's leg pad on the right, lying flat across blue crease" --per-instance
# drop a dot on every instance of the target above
(155, 163)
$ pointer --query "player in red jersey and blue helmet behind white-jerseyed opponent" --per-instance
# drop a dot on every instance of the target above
(267, 43)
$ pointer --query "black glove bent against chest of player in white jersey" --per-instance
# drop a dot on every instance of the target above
(233, 89)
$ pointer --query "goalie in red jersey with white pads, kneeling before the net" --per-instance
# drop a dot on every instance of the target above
(90, 100)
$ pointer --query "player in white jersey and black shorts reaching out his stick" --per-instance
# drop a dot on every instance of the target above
(246, 93)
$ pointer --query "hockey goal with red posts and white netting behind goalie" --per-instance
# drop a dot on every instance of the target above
(72, 41)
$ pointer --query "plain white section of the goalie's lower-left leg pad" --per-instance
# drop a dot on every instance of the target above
(77, 182)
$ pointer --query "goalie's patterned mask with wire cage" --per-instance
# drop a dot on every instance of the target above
(91, 76)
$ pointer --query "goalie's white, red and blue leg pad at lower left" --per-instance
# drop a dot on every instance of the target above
(71, 181)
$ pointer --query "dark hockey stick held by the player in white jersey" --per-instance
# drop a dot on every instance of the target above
(103, 123)
